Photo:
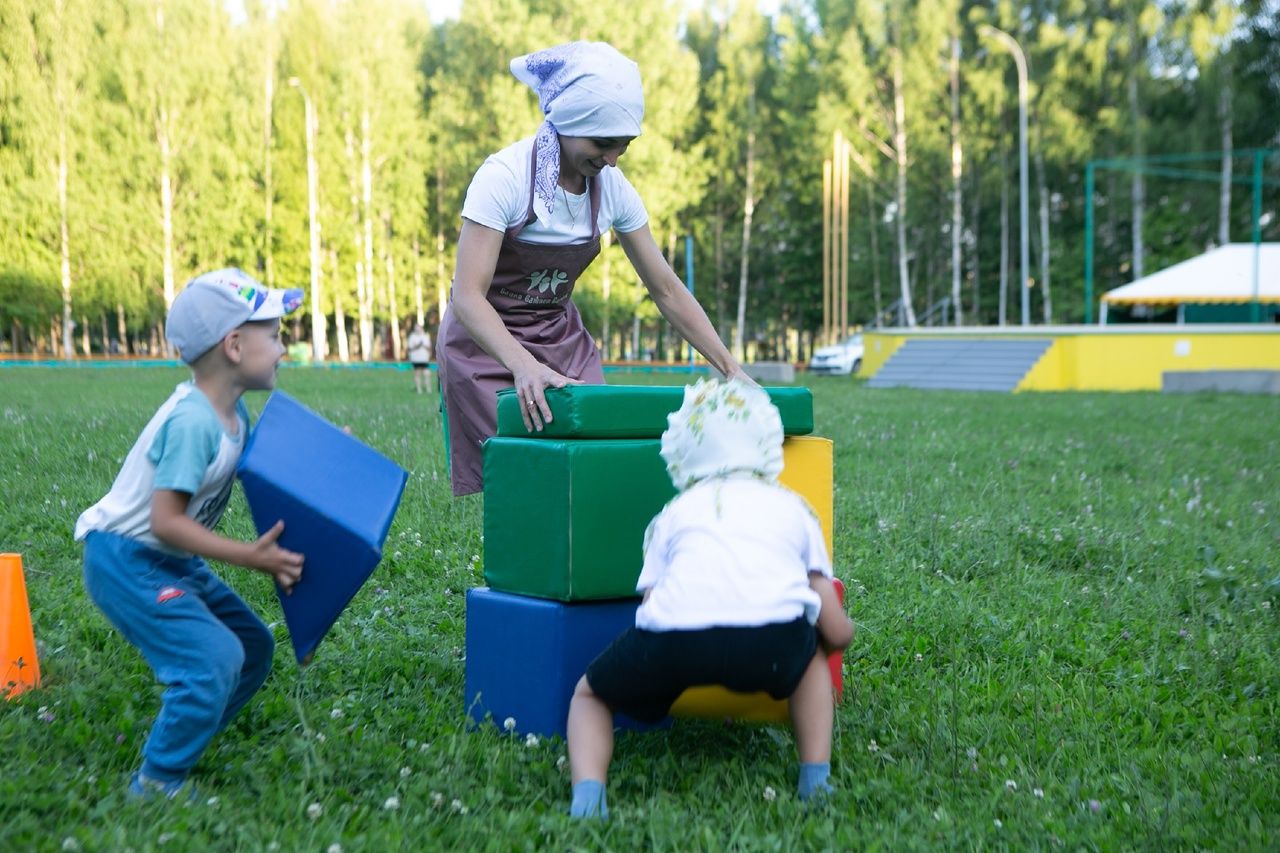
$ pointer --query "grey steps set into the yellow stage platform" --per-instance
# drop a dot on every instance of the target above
(961, 364)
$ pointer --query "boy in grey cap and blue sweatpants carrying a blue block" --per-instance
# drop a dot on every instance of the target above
(147, 541)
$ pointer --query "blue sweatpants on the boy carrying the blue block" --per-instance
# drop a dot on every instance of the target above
(204, 644)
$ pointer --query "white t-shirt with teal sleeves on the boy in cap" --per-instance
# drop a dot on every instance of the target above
(185, 449)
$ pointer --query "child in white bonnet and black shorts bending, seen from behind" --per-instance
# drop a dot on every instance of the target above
(737, 590)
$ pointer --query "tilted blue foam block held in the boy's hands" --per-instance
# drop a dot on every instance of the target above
(337, 499)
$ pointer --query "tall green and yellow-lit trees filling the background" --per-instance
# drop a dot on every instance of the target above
(163, 131)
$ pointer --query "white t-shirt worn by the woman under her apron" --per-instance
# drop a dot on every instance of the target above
(499, 199)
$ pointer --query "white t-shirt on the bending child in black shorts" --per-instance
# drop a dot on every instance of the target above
(732, 553)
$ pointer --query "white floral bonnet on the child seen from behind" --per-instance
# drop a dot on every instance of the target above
(723, 428)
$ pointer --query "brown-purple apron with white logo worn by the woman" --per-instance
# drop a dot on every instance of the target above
(531, 290)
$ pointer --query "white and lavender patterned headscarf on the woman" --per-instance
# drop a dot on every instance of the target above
(584, 89)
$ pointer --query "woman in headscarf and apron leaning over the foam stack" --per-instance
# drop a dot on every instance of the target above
(532, 225)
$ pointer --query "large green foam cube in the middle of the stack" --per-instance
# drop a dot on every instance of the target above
(566, 519)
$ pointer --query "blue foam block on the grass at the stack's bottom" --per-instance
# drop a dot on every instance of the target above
(525, 656)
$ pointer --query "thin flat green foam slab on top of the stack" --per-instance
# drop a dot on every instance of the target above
(632, 412)
